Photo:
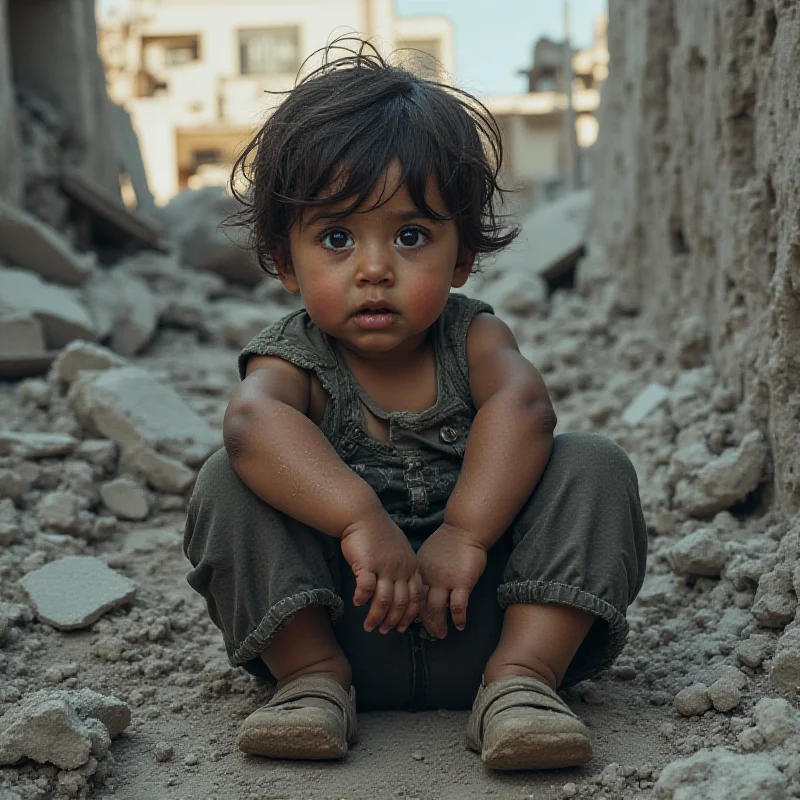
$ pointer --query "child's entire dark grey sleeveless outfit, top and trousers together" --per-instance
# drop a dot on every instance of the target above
(579, 540)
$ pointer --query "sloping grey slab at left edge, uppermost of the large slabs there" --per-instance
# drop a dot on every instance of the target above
(29, 243)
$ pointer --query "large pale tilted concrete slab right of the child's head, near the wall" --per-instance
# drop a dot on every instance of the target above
(552, 238)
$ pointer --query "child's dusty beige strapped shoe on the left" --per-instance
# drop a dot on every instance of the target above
(312, 717)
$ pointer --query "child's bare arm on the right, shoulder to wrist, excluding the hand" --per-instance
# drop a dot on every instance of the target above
(511, 438)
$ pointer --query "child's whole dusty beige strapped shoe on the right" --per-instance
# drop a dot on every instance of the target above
(521, 723)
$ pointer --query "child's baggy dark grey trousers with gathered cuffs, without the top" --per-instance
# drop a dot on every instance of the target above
(579, 540)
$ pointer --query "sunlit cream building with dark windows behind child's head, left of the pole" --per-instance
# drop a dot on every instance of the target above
(197, 76)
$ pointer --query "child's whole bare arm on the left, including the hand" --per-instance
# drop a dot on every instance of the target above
(283, 457)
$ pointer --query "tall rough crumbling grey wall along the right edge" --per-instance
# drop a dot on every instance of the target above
(697, 182)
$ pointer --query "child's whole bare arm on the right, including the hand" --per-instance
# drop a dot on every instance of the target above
(508, 448)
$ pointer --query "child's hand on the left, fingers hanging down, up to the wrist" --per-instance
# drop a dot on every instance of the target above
(385, 568)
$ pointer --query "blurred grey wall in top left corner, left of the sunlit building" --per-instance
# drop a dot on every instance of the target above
(53, 47)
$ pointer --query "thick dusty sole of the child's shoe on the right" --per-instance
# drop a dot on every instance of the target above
(536, 751)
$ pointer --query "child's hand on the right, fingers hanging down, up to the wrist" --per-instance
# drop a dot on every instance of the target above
(450, 562)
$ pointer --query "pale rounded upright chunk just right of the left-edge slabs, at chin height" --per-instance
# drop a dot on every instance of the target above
(123, 308)
